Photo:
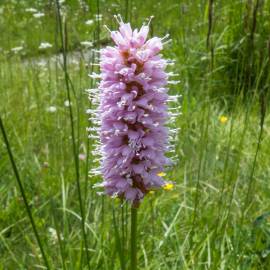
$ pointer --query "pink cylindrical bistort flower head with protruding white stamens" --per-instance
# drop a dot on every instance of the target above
(133, 113)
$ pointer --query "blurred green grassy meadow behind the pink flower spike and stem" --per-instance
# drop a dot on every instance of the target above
(217, 215)
